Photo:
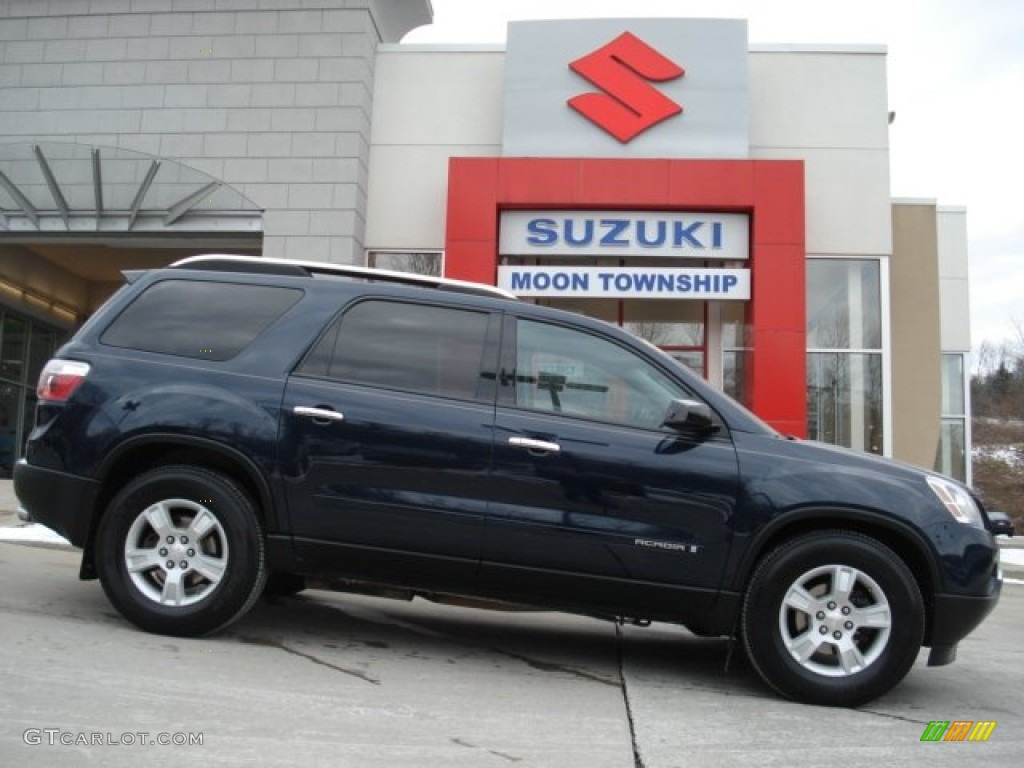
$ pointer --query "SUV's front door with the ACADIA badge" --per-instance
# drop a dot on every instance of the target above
(599, 500)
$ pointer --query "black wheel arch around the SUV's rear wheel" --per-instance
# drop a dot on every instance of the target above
(147, 452)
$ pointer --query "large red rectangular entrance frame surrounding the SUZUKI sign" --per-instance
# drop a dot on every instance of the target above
(771, 191)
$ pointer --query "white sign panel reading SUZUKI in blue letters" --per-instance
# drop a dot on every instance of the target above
(619, 234)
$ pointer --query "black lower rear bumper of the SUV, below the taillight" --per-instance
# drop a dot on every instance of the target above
(60, 501)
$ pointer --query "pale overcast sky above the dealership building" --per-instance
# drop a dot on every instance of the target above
(956, 83)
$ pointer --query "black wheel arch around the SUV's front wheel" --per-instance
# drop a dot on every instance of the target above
(903, 540)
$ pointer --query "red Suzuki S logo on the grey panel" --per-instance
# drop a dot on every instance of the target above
(623, 70)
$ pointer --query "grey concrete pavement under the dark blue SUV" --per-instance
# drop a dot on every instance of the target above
(347, 681)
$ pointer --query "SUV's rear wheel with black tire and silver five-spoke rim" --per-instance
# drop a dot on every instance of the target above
(150, 565)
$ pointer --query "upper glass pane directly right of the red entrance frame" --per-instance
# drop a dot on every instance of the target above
(844, 305)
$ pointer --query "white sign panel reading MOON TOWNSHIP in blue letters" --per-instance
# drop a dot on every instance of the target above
(625, 283)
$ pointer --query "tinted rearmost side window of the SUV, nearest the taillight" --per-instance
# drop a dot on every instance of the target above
(194, 319)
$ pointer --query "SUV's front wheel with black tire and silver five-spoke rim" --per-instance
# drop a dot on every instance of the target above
(833, 618)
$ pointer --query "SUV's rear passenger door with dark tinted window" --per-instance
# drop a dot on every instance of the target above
(387, 441)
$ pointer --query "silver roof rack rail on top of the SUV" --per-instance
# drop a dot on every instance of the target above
(261, 266)
